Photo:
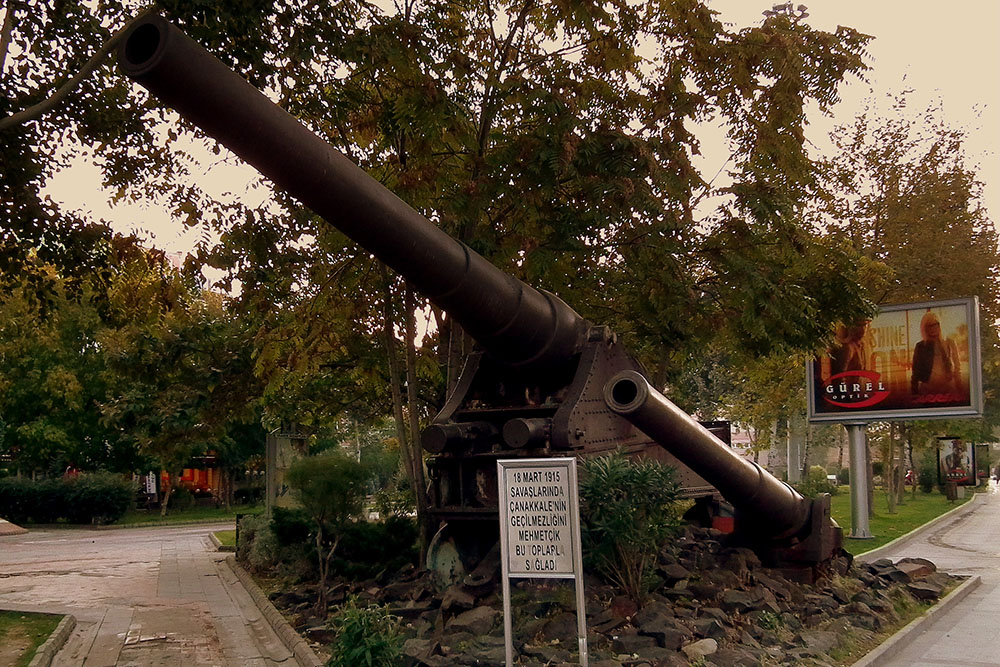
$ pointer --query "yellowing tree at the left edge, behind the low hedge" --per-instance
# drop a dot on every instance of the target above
(51, 384)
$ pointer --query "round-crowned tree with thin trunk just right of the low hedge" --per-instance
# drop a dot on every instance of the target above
(181, 367)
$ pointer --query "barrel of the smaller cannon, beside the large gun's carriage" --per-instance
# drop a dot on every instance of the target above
(775, 509)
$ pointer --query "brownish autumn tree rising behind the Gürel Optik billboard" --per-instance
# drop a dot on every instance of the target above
(903, 192)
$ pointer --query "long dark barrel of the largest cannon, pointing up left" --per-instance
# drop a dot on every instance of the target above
(515, 323)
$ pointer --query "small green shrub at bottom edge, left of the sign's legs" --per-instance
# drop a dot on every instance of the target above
(365, 637)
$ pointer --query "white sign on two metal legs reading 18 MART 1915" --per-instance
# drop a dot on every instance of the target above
(540, 532)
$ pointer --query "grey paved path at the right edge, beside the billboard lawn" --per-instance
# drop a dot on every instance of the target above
(967, 542)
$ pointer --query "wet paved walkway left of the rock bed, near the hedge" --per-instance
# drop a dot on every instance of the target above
(141, 597)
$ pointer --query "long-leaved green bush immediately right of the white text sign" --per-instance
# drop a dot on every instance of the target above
(628, 511)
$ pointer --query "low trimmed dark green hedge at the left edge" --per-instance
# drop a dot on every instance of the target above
(86, 498)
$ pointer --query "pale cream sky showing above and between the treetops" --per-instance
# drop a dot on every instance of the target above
(948, 52)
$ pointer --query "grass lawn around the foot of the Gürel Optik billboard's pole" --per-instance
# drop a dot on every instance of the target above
(913, 512)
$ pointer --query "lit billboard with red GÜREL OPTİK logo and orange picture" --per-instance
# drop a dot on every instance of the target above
(913, 361)
